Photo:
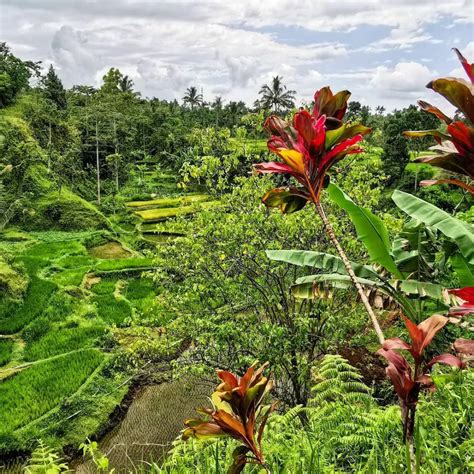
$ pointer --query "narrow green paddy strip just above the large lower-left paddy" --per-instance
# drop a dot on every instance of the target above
(61, 340)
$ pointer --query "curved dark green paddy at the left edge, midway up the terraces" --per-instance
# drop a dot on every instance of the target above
(14, 316)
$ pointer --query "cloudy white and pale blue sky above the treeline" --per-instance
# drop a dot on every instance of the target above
(384, 51)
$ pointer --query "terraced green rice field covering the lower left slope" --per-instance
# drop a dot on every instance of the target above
(50, 347)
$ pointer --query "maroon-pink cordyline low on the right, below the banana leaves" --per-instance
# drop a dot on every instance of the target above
(409, 381)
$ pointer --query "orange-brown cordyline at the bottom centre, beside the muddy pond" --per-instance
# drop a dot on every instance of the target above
(237, 412)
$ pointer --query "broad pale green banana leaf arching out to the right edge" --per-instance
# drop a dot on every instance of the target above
(459, 232)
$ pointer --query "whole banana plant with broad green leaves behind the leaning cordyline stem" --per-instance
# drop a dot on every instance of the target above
(402, 271)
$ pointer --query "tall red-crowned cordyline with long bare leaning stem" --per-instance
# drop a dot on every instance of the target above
(308, 148)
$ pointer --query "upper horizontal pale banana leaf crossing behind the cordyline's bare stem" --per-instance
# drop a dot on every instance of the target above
(323, 261)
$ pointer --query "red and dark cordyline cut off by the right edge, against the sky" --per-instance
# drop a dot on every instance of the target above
(456, 144)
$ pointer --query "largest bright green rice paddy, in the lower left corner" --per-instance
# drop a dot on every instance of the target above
(39, 388)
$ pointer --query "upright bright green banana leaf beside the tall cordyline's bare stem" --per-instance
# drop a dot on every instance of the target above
(370, 230)
